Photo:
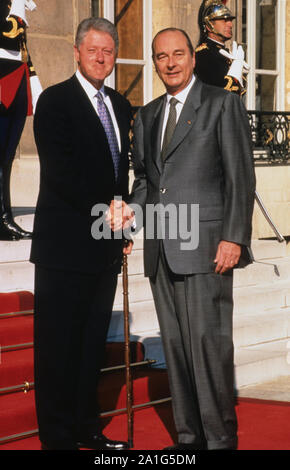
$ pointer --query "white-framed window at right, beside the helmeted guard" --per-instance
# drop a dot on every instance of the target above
(264, 33)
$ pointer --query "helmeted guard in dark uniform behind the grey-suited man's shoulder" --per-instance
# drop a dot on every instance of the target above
(215, 64)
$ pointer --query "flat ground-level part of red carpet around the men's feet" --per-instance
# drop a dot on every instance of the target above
(262, 426)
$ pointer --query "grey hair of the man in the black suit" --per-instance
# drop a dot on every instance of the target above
(98, 24)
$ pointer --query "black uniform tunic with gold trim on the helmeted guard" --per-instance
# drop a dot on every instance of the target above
(212, 67)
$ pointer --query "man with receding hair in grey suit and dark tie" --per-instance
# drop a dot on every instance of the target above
(192, 147)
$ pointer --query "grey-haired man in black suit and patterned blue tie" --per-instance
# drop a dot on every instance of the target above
(83, 162)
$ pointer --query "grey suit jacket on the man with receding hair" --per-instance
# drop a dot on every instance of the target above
(209, 163)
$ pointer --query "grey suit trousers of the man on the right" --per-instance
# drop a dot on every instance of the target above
(195, 317)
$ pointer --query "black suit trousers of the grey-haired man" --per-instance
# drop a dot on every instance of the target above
(72, 316)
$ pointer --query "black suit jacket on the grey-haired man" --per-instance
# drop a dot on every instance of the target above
(76, 172)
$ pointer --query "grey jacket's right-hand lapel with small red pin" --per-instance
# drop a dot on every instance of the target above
(186, 118)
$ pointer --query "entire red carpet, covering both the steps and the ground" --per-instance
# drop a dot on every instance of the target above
(263, 425)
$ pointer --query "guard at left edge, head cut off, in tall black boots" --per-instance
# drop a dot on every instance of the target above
(19, 89)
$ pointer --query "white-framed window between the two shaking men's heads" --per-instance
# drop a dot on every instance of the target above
(133, 72)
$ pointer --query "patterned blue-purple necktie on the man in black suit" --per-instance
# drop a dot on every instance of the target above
(107, 123)
